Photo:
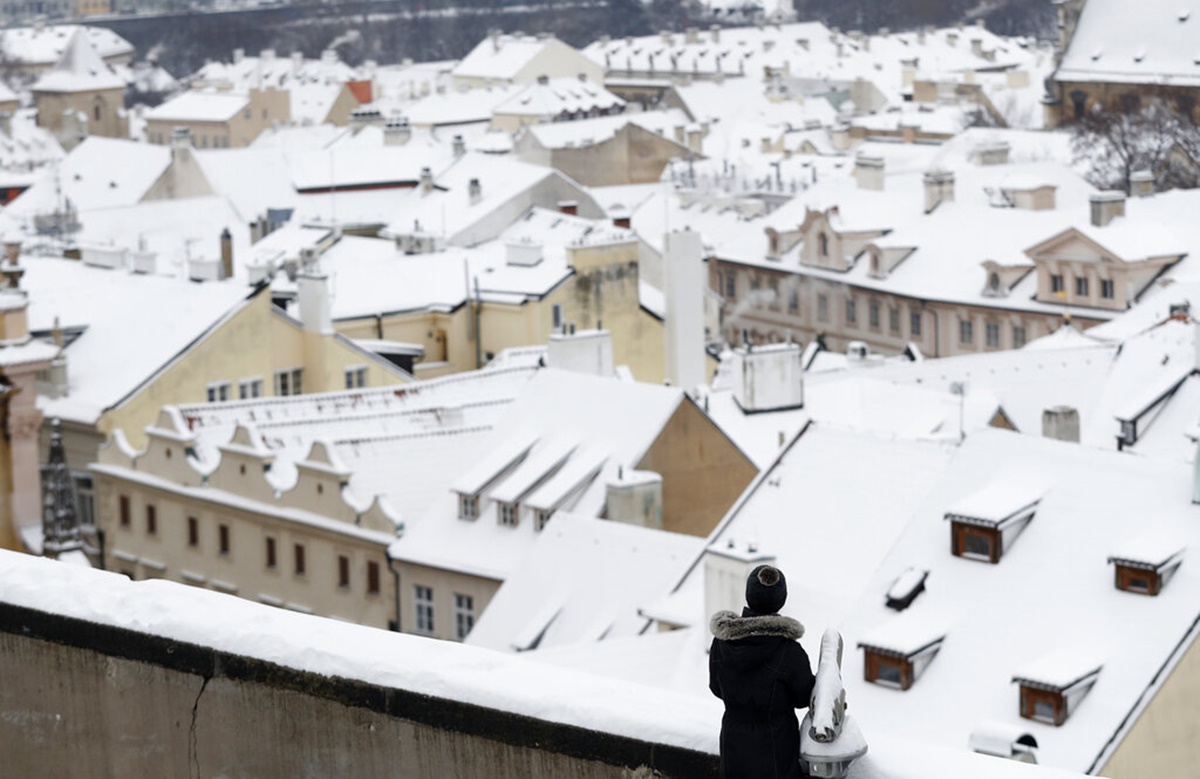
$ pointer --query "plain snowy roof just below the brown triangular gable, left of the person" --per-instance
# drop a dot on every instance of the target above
(601, 573)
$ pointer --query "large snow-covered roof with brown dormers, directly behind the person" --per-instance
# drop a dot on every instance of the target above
(1057, 585)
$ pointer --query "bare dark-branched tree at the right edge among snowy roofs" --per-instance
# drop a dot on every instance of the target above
(1155, 137)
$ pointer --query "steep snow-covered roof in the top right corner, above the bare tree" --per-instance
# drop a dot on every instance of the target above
(1155, 46)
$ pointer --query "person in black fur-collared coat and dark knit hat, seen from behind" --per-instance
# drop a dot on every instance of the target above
(764, 675)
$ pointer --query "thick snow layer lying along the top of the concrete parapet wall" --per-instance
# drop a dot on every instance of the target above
(446, 672)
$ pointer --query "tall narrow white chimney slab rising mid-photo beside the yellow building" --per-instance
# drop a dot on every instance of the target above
(683, 271)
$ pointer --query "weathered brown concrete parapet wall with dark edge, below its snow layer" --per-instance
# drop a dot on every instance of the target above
(82, 699)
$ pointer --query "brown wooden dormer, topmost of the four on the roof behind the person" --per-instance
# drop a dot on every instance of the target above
(987, 523)
